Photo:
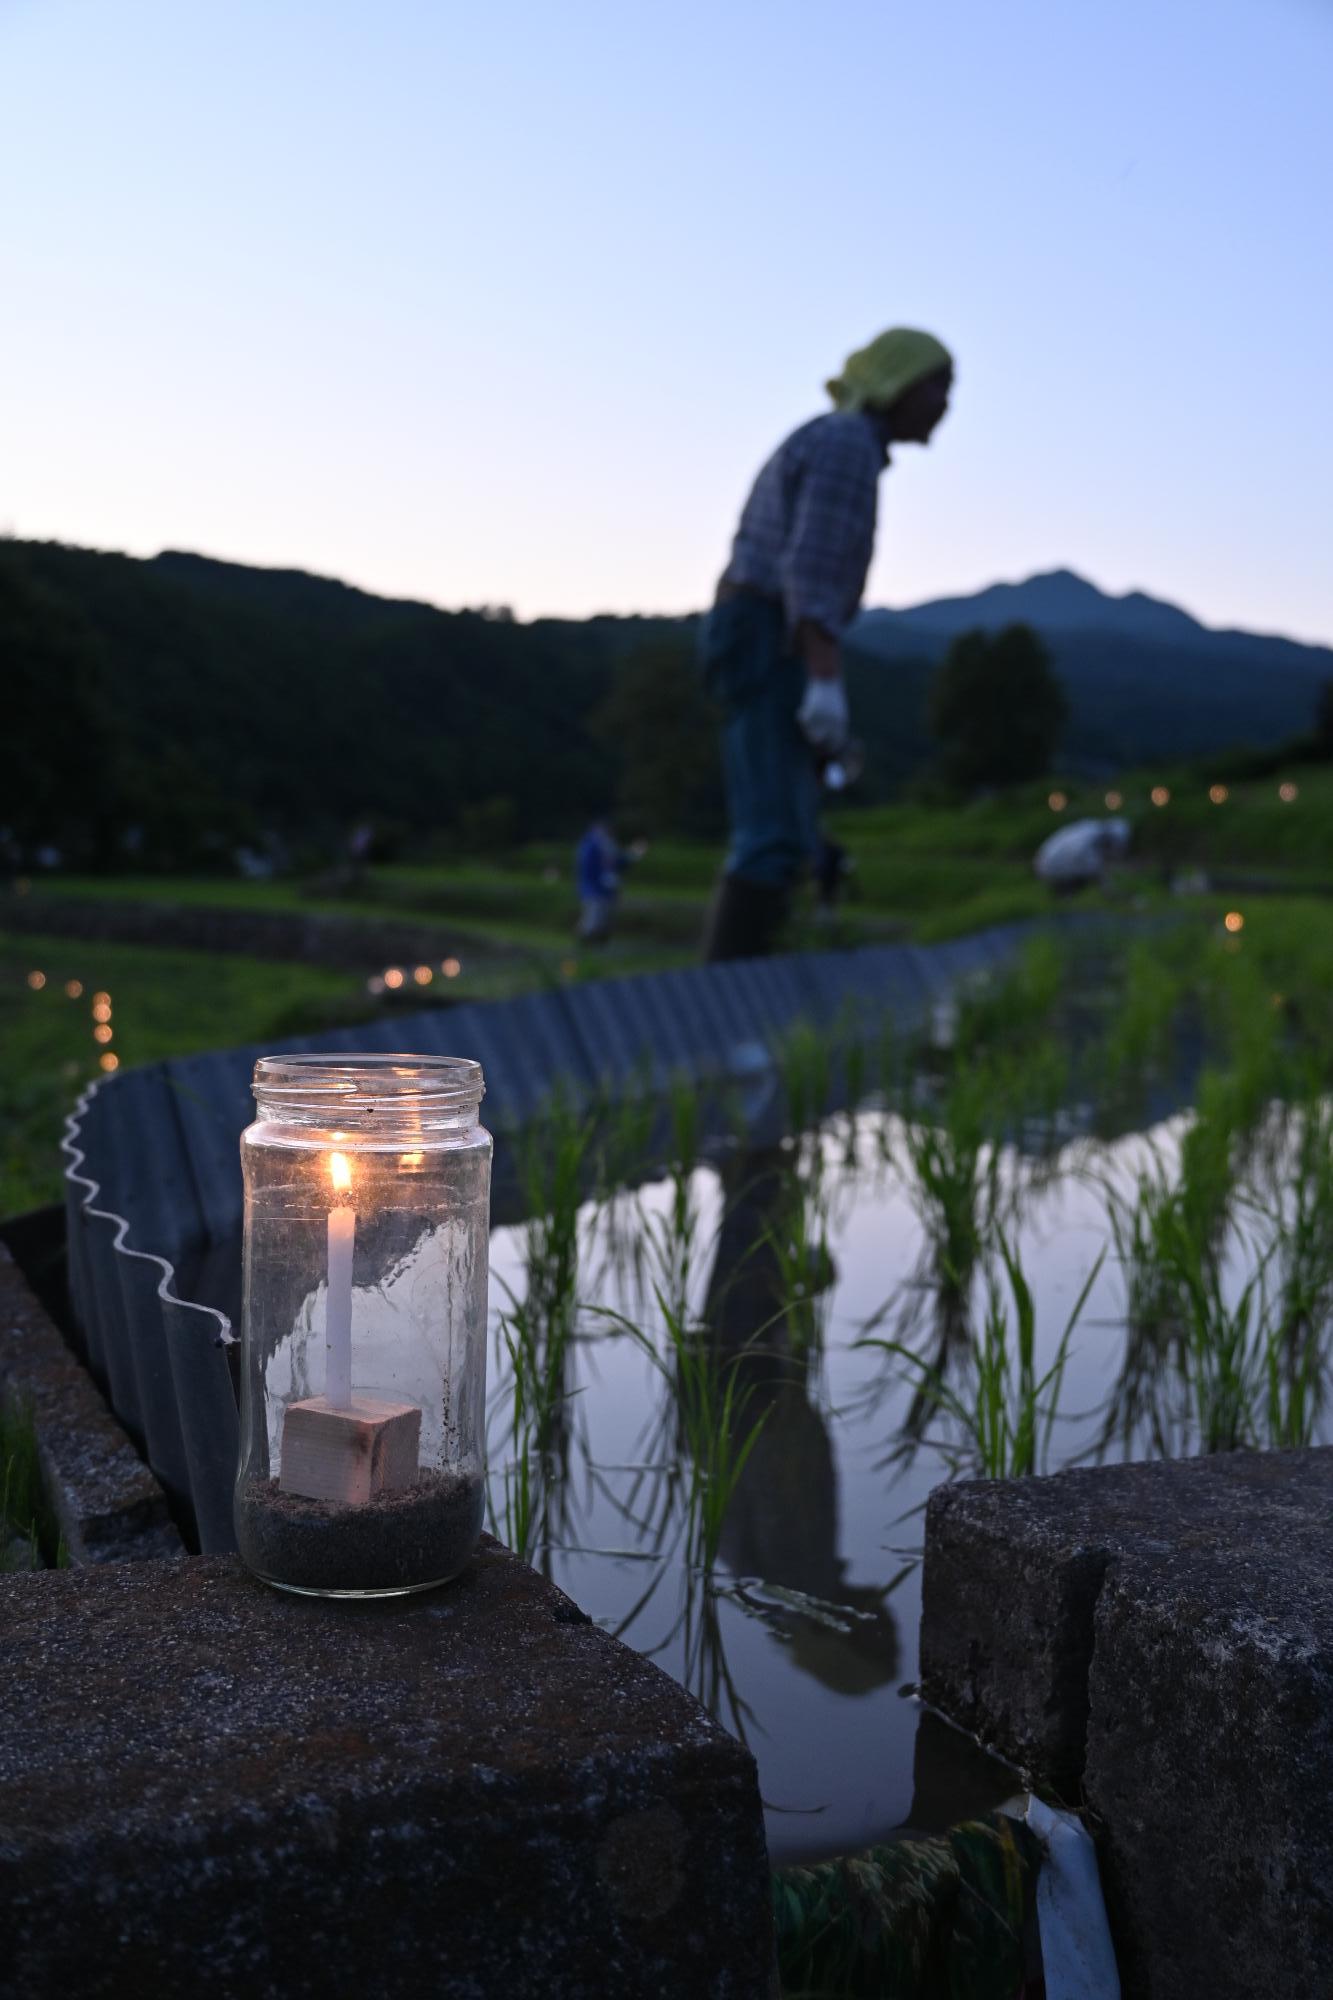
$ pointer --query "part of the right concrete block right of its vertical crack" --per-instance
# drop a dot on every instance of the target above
(1210, 1767)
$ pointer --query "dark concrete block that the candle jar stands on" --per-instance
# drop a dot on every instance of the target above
(209, 1789)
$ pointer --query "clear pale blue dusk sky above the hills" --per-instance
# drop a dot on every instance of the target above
(507, 303)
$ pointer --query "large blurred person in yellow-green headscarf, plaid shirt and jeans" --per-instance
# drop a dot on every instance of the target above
(772, 645)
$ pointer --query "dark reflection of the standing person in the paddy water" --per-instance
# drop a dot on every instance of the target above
(784, 1519)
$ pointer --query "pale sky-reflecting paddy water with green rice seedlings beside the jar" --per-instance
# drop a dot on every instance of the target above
(722, 1401)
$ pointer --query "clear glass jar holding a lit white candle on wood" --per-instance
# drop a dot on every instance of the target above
(363, 1323)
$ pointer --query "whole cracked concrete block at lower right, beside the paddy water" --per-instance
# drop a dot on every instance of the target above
(1158, 1643)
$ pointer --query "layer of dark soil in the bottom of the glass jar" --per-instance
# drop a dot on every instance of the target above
(399, 1541)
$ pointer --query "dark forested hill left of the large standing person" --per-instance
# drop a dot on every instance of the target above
(205, 703)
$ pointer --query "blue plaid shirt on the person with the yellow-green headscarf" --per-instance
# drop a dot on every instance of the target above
(808, 531)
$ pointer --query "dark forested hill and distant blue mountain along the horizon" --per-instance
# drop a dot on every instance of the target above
(175, 709)
